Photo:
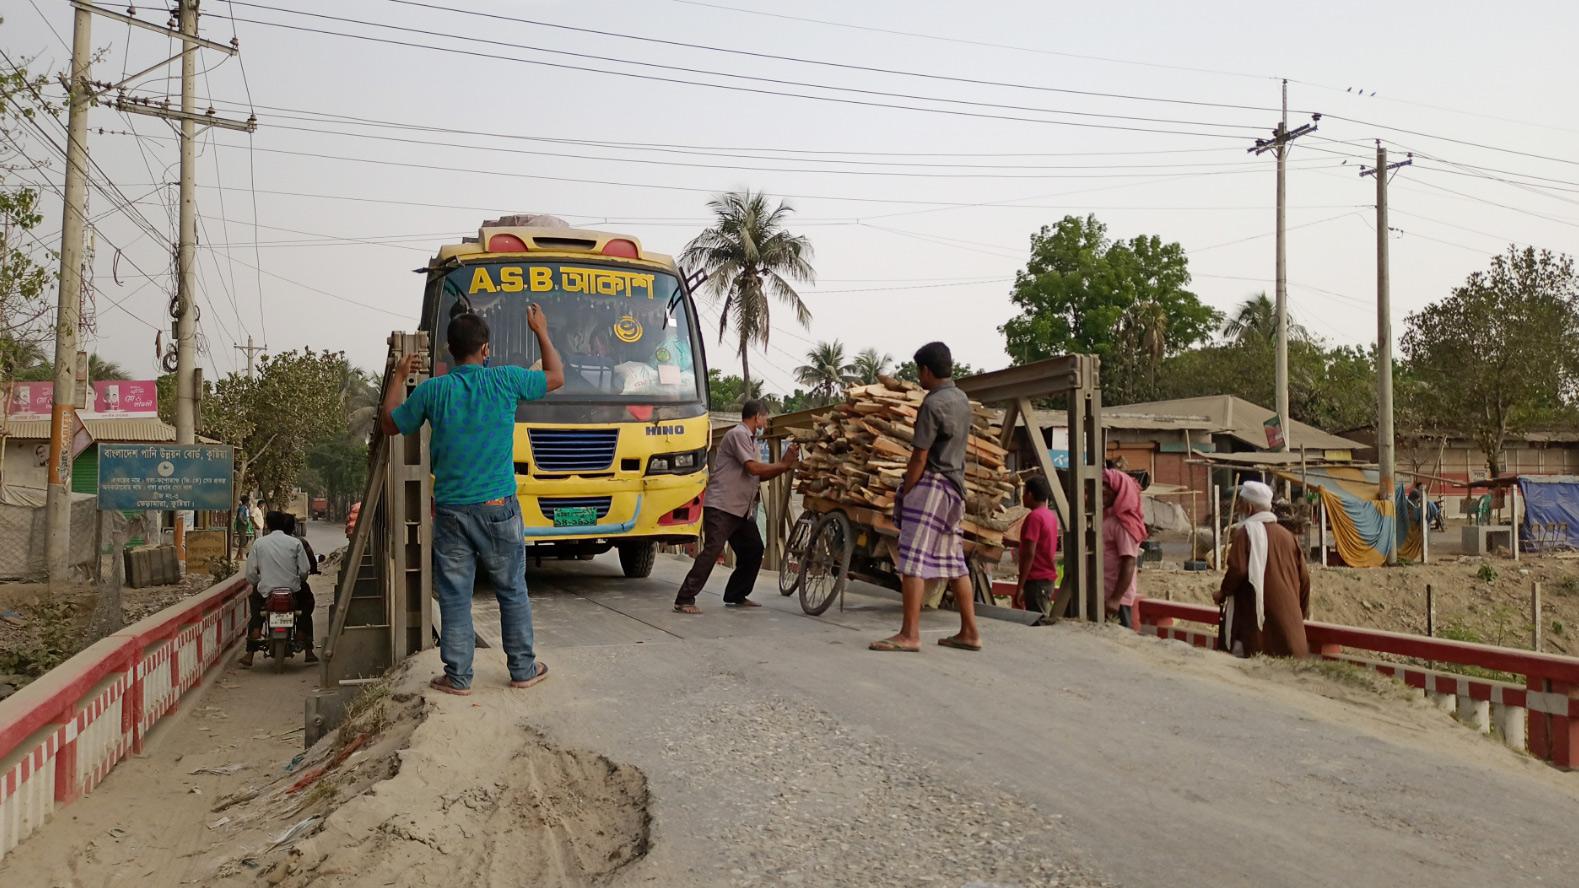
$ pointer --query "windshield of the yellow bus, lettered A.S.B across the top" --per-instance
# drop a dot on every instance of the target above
(624, 334)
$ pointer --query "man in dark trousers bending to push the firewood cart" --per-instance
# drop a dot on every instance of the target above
(729, 513)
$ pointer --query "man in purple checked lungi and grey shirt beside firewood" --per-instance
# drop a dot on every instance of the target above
(931, 506)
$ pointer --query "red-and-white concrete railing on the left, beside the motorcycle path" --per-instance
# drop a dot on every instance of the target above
(62, 734)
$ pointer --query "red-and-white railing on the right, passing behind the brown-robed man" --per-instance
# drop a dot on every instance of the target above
(1542, 715)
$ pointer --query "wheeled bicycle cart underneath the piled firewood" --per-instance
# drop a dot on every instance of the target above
(833, 543)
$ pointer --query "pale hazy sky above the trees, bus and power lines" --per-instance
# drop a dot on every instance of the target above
(920, 219)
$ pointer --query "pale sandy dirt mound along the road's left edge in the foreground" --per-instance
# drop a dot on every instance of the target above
(399, 799)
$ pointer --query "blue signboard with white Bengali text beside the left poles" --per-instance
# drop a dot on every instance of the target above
(167, 478)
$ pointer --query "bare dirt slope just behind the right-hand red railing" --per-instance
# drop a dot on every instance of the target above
(1485, 601)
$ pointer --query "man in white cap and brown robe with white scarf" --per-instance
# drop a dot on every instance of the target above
(1266, 595)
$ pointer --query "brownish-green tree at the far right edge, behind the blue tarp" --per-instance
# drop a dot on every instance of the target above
(1499, 353)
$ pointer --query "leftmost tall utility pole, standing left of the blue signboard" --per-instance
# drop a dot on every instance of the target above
(73, 219)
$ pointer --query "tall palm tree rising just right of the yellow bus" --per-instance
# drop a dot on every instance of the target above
(751, 260)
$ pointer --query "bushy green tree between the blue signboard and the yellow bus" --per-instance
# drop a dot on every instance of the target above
(277, 418)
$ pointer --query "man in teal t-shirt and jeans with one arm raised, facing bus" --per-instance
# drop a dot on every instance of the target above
(478, 514)
